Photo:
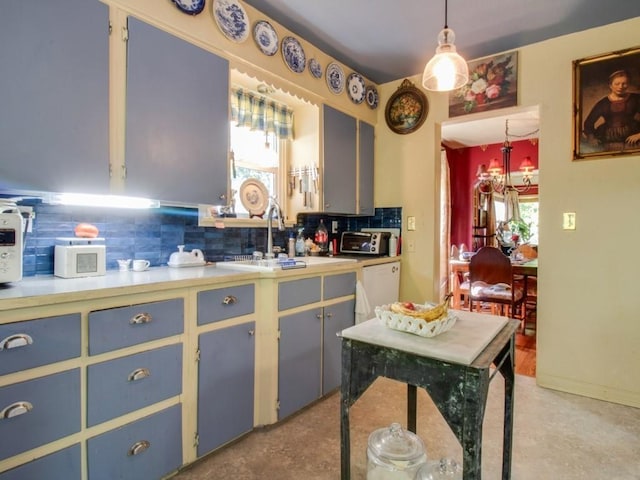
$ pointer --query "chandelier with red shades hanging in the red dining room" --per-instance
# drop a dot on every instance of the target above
(498, 175)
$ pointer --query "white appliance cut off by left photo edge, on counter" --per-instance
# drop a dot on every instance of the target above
(11, 228)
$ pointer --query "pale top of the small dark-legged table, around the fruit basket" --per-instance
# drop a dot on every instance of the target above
(462, 344)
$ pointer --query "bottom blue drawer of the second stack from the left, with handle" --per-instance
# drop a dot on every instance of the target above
(148, 449)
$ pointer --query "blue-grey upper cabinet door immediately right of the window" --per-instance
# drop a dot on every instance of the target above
(340, 158)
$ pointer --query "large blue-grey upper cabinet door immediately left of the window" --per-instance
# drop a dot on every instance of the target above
(177, 119)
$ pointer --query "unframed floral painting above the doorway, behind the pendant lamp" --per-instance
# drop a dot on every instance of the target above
(493, 84)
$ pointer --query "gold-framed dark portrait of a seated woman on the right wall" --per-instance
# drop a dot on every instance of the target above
(606, 96)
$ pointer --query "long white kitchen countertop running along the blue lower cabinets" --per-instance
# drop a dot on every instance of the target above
(48, 289)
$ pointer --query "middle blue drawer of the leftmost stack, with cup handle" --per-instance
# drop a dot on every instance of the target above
(39, 411)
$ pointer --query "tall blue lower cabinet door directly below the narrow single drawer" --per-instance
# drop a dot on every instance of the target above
(225, 385)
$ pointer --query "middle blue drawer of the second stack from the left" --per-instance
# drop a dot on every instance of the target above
(122, 385)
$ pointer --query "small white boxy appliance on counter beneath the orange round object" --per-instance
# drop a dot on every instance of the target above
(79, 257)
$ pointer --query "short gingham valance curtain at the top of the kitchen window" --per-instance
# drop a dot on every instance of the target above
(259, 113)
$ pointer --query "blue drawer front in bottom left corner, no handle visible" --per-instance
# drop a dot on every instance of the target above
(64, 464)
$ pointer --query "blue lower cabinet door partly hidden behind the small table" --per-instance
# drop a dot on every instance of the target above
(336, 318)
